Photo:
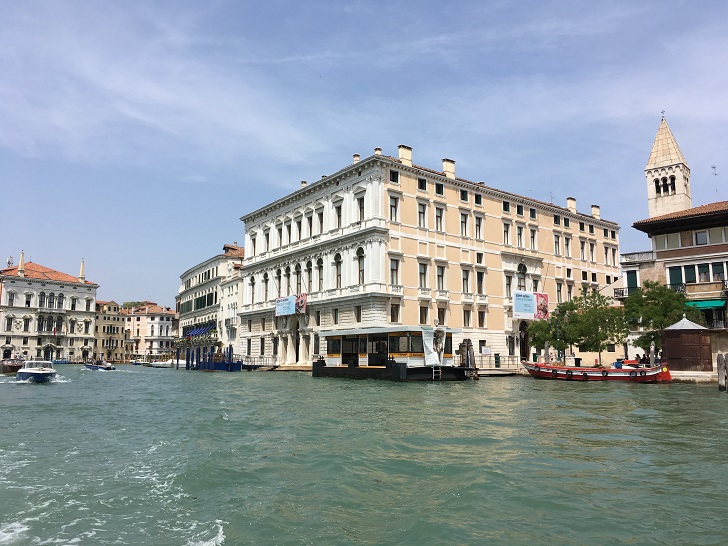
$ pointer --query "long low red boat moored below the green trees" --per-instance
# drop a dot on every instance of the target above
(657, 374)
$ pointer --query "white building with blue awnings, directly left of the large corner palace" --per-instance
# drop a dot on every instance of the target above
(207, 303)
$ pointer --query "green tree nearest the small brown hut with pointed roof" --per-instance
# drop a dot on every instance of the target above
(653, 308)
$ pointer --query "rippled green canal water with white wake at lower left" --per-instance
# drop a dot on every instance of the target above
(160, 456)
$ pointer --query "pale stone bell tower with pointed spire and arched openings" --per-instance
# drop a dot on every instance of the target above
(667, 174)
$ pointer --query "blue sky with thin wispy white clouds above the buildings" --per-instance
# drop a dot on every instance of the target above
(134, 135)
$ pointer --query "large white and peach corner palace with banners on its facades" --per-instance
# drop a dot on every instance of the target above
(385, 242)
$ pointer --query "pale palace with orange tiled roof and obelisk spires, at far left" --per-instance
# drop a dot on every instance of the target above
(45, 313)
